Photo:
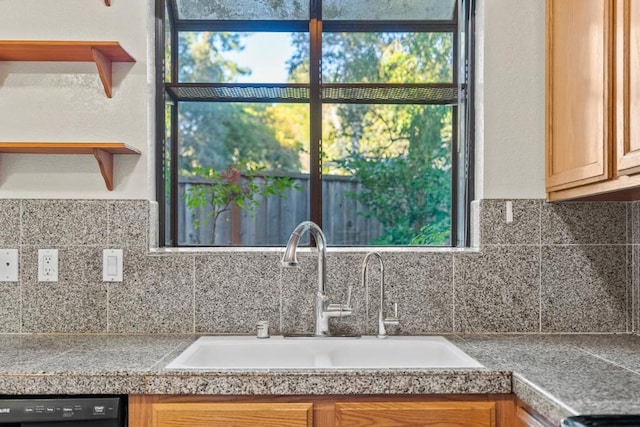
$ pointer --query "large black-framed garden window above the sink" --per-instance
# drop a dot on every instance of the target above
(352, 114)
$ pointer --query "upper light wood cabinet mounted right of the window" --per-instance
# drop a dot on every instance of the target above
(593, 121)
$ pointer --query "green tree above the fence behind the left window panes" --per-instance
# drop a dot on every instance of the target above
(219, 135)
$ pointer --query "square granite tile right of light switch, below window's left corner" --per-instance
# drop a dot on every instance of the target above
(156, 296)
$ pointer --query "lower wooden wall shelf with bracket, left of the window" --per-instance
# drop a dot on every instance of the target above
(102, 151)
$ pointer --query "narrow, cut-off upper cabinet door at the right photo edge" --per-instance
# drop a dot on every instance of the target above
(628, 85)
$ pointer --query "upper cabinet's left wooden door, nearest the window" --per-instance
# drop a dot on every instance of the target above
(579, 92)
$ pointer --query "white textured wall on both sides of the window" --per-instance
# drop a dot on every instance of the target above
(65, 102)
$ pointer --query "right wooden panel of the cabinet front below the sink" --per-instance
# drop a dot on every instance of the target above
(459, 414)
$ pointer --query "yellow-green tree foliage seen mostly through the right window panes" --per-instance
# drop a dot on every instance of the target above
(400, 154)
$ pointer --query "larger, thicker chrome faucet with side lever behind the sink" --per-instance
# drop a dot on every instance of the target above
(324, 310)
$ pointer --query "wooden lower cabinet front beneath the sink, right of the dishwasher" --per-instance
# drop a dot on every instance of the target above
(322, 411)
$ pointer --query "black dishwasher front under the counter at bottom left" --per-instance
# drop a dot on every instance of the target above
(66, 411)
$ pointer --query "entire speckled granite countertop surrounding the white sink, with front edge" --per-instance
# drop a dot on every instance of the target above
(558, 375)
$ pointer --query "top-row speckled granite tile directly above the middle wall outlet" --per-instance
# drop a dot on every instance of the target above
(57, 223)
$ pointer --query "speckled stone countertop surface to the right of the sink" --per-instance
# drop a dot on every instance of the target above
(561, 375)
